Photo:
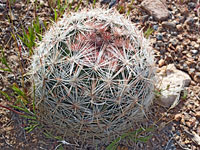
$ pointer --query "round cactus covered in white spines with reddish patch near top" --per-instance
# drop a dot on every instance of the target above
(94, 76)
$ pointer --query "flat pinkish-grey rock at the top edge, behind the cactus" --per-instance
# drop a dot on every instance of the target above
(156, 8)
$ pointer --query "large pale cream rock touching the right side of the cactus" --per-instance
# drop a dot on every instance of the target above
(171, 82)
